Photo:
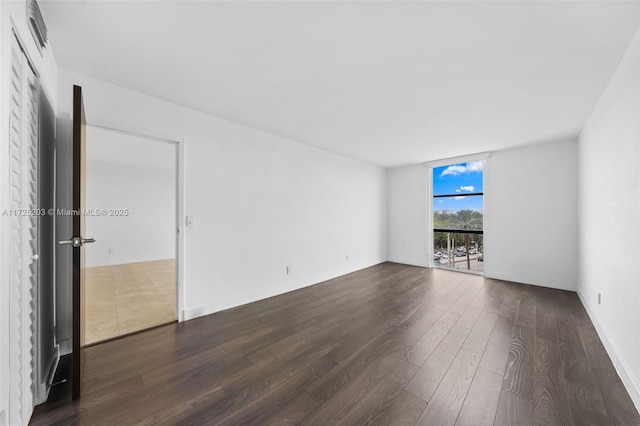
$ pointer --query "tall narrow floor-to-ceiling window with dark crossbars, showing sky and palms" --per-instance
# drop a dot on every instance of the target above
(458, 215)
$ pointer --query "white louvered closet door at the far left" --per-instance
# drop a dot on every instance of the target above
(24, 232)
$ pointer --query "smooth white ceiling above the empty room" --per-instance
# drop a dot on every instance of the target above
(388, 83)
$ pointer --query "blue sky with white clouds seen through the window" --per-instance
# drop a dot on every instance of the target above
(458, 178)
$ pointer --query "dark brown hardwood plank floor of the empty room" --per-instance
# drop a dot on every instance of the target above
(390, 345)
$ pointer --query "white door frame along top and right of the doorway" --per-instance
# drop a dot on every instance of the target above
(178, 142)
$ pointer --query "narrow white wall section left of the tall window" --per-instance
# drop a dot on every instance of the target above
(407, 215)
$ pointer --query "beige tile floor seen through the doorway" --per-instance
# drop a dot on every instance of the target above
(121, 299)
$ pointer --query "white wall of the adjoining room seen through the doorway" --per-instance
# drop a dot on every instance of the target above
(124, 171)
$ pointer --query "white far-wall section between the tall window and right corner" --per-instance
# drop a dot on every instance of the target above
(531, 233)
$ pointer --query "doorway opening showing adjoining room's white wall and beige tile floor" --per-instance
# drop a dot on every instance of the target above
(130, 281)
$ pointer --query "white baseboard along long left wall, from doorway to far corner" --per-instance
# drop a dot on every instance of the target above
(277, 288)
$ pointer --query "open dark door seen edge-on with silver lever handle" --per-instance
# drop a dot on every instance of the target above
(77, 241)
